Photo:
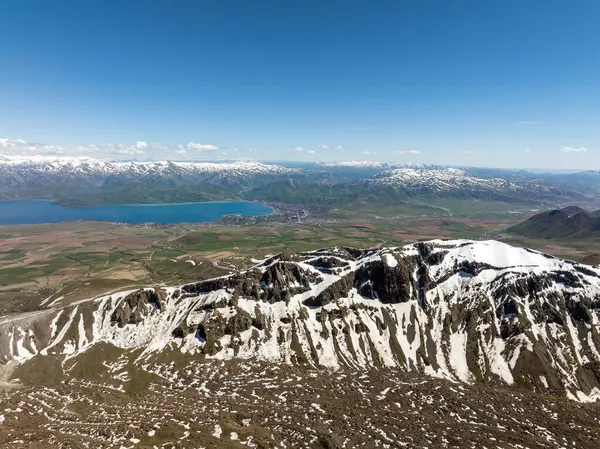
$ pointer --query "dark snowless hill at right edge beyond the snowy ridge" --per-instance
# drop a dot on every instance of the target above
(569, 222)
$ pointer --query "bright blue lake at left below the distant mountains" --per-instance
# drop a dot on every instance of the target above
(37, 212)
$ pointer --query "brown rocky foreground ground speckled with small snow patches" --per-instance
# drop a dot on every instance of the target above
(188, 403)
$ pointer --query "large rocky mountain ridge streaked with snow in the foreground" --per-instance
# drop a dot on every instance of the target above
(461, 310)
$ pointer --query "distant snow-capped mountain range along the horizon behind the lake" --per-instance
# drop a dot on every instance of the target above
(92, 181)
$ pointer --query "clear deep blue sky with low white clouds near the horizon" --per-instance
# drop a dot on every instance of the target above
(468, 82)
